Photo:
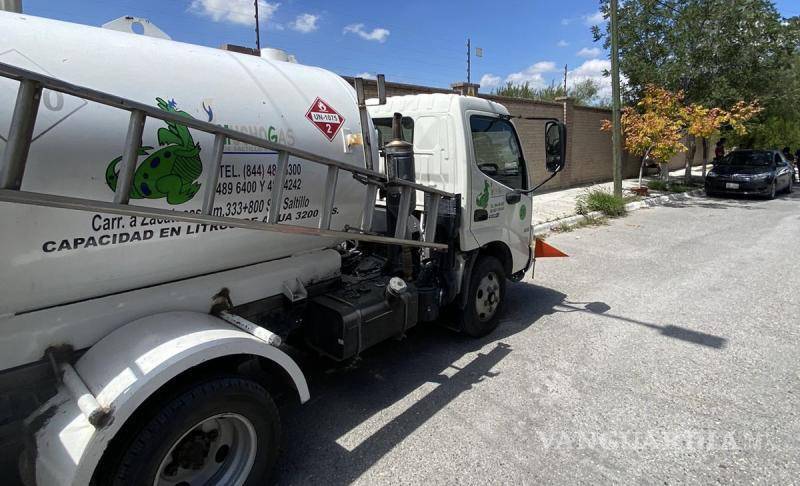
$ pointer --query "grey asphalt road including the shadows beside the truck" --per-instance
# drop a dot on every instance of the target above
(664, 350)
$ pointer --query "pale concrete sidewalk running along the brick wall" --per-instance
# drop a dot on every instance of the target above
(555, 205)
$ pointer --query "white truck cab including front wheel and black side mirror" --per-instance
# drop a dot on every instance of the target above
(469, 146)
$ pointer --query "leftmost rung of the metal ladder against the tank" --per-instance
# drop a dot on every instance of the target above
(23, 121)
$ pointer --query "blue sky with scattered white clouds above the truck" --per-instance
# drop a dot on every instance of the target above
(411, 41)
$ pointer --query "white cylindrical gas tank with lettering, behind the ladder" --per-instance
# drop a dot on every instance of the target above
(53, 256)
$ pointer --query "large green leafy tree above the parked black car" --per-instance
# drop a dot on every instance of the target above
(717, 52)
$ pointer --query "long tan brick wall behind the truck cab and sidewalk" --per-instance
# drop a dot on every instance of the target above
(588, 149)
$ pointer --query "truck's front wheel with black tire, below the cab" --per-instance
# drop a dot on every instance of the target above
(487, 290)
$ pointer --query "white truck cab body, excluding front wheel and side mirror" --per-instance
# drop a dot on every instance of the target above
(468, 145)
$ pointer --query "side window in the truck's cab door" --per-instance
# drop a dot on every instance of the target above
(497, 151)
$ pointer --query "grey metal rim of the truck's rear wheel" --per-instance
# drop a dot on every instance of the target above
(217, 450)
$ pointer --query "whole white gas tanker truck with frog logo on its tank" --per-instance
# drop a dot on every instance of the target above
(178, 223)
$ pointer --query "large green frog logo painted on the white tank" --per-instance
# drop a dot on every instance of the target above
(170, 172)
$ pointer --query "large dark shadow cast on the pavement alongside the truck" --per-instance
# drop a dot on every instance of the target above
(332, 440)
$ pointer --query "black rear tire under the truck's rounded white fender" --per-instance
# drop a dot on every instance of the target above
(222, 430)
